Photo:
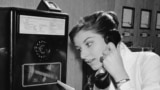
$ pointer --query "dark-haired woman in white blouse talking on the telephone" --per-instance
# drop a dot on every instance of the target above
(97, 39)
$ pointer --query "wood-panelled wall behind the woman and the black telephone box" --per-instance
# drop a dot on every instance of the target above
(78, 8)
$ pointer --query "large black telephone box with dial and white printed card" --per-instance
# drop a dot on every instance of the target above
(33, 49)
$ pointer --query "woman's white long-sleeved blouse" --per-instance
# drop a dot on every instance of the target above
(143, 69)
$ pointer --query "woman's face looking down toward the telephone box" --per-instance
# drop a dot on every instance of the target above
(91, 46)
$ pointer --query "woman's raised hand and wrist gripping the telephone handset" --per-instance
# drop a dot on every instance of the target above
(113, 62)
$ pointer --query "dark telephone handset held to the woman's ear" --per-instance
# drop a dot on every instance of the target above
(103, 79)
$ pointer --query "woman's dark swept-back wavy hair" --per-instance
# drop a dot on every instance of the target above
(104, 23)
